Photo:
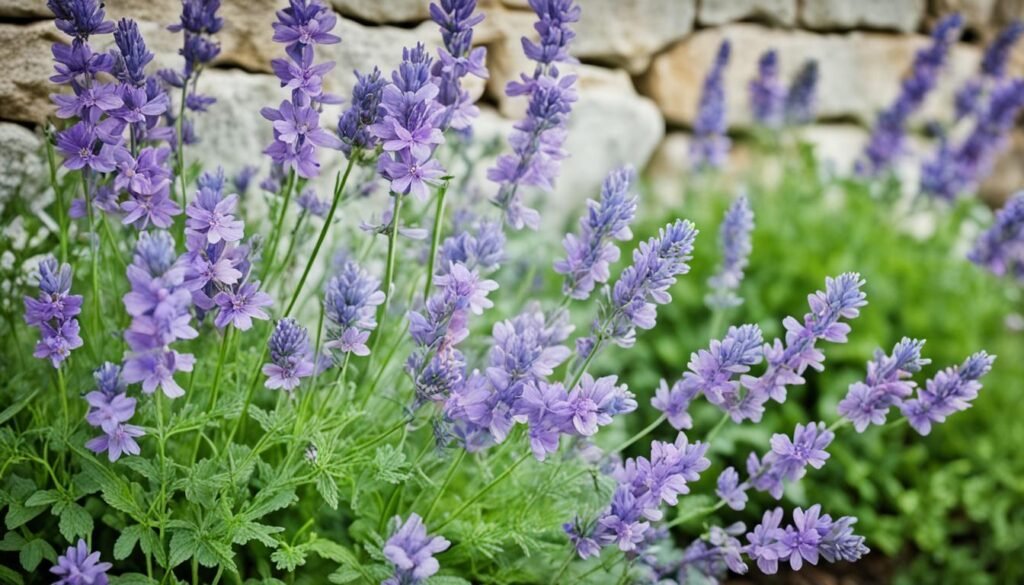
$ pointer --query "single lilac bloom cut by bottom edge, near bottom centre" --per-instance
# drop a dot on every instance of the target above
(412, 552)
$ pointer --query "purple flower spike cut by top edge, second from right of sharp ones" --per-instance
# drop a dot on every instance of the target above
(457, 60)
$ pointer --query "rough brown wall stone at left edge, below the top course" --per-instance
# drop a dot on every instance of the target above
(25, 72)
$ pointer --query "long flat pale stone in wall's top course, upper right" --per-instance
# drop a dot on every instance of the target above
(905, 16)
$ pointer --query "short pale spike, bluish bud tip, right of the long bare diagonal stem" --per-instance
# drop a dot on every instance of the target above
(351, 307)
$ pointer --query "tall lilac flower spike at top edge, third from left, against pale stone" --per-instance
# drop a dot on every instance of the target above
(301, 27)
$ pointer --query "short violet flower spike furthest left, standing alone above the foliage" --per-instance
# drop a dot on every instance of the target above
(54, 313)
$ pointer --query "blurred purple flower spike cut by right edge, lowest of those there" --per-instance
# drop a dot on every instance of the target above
(1001, 248)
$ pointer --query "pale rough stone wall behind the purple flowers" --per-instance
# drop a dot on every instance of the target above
(643, 65)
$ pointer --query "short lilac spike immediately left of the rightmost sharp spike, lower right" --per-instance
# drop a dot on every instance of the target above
(886, 386)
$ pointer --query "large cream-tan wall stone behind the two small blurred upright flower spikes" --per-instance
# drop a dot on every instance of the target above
(880, 62)
